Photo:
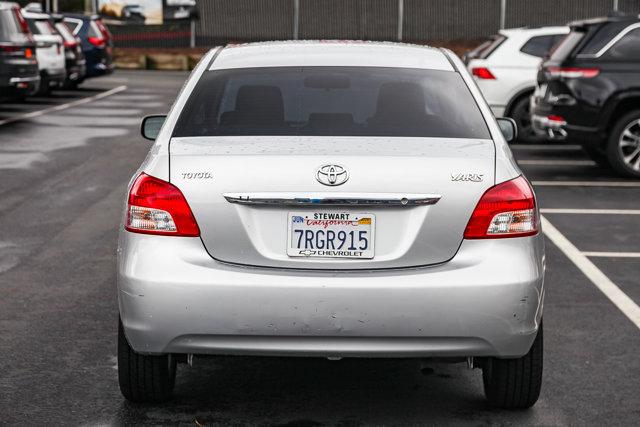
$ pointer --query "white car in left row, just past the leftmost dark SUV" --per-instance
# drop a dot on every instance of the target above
(49, 51)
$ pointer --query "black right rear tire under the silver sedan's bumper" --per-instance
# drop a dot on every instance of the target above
(514, 383)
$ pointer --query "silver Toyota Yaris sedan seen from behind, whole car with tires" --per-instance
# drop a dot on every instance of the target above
(331, 199)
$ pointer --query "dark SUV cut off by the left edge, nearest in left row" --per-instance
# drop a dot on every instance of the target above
(19, 75)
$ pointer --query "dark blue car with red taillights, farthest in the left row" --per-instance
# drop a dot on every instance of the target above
(96, 42)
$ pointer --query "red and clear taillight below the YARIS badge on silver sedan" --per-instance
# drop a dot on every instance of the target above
(505, 210)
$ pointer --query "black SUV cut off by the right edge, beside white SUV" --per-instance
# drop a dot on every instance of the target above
(589, 91)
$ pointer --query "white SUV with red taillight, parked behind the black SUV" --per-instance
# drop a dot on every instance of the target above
(505, 69)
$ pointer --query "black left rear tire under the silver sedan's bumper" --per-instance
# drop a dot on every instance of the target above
(144, 378)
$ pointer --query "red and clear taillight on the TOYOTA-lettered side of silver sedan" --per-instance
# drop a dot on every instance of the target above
(158, 207)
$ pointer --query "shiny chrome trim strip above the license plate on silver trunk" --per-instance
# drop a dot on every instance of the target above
(332, 199)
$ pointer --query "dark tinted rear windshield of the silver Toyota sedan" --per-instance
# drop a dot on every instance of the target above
(332, 101)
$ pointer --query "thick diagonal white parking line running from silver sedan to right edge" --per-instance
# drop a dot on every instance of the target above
(593, 273)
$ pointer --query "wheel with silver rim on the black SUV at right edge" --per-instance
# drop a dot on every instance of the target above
(623, 146)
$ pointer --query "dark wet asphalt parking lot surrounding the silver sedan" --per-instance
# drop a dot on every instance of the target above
(64, 165)
